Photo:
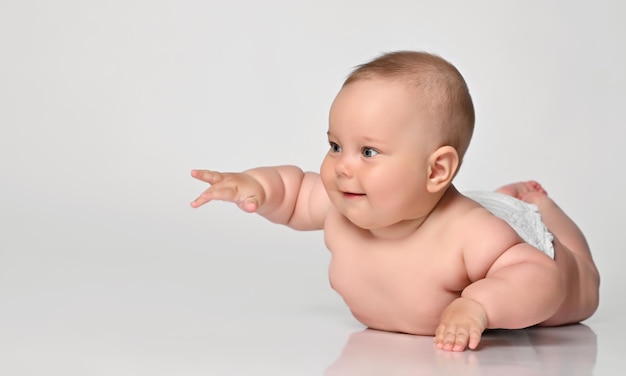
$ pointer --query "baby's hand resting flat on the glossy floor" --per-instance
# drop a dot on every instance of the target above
(462, 324)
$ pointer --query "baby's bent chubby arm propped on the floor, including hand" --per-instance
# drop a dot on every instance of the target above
(514, 286)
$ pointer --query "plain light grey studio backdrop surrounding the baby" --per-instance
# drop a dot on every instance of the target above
(105, 107)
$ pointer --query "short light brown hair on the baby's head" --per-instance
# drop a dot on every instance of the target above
(439, 83)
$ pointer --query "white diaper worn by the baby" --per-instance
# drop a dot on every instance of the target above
(523, 217)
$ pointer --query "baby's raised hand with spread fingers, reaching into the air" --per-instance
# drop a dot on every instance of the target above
(240, 188)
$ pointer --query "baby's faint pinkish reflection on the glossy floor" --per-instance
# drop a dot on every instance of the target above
(569, 350)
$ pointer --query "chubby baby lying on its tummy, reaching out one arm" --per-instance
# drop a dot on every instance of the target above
(409, 252)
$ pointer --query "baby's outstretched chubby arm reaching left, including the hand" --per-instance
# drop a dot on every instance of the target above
(282, 194)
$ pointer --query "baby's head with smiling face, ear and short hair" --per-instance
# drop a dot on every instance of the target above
(397, 131)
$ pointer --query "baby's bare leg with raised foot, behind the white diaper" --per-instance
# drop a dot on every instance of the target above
(571, 253)
